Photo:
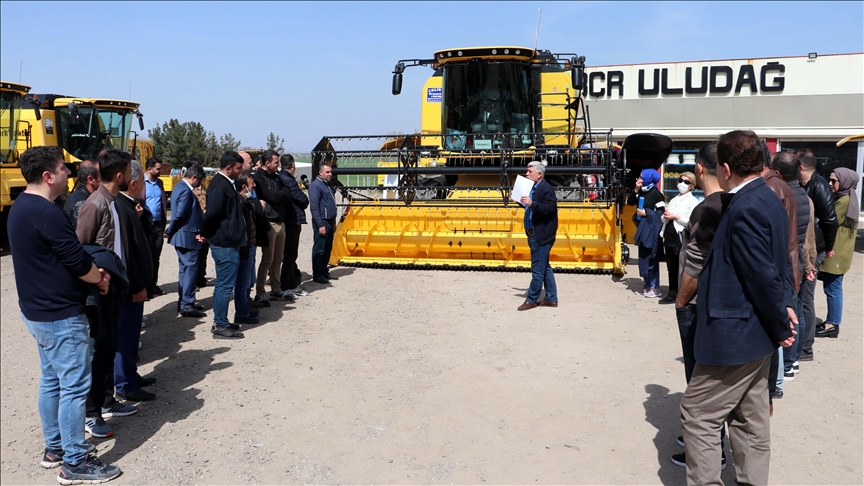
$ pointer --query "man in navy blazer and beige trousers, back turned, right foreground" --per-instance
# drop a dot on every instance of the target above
(744, 312)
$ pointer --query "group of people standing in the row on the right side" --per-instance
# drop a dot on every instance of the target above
(768, 227)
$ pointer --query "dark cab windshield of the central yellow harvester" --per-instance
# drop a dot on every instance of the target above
(486, 97)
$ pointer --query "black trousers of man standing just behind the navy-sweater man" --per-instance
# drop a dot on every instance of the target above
(102, 388)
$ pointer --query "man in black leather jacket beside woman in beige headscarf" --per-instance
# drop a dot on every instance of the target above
(825, 229)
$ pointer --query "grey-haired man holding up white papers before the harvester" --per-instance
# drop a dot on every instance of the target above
(541, 223)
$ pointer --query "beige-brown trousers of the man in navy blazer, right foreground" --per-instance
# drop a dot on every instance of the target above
(739, 396)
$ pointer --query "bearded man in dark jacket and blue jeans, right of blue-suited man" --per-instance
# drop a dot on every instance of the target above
(225, 229)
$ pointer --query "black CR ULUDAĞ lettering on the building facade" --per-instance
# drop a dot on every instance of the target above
(713, 80)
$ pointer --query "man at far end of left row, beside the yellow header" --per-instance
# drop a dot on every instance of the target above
(322, 205)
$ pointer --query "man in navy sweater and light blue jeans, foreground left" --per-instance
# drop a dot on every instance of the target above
(45, 248)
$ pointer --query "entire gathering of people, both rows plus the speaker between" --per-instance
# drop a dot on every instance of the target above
(768, 227)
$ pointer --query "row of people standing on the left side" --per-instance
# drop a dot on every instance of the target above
(110, 234)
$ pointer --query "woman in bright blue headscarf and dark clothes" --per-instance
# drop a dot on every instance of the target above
(649, 224)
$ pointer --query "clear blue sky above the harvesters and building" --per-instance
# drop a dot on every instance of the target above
(304, 70)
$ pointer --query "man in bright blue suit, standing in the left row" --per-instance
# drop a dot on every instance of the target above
(183, 233)
